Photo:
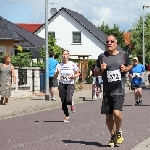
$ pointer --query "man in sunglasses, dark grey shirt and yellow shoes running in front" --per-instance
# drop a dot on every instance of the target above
(113, 66)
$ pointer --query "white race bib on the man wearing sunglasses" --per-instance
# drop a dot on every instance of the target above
(114, 75)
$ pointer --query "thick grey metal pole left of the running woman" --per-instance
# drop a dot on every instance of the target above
(46, 53)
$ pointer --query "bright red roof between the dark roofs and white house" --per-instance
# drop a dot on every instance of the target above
(29, 27)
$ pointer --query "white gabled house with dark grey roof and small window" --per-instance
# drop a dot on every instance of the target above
(75, 33)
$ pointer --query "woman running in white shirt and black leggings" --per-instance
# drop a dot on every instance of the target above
(68, 71)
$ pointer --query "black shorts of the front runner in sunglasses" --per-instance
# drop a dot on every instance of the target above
(111, 103)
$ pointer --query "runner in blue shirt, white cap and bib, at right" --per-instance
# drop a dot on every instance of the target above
(137, 73)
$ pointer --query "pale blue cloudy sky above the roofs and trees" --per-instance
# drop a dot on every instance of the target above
(124, 13)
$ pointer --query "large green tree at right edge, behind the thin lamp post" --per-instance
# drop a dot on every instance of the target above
(137, 38)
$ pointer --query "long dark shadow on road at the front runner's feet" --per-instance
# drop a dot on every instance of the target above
(85, 143)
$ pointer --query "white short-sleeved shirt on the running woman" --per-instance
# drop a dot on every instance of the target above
(65, 71)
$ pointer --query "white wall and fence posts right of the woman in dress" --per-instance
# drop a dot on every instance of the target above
(28, 82)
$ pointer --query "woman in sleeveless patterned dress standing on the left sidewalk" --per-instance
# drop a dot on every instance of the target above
(6, 72)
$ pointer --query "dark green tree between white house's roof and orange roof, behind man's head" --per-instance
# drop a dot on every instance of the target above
(116, 32)
